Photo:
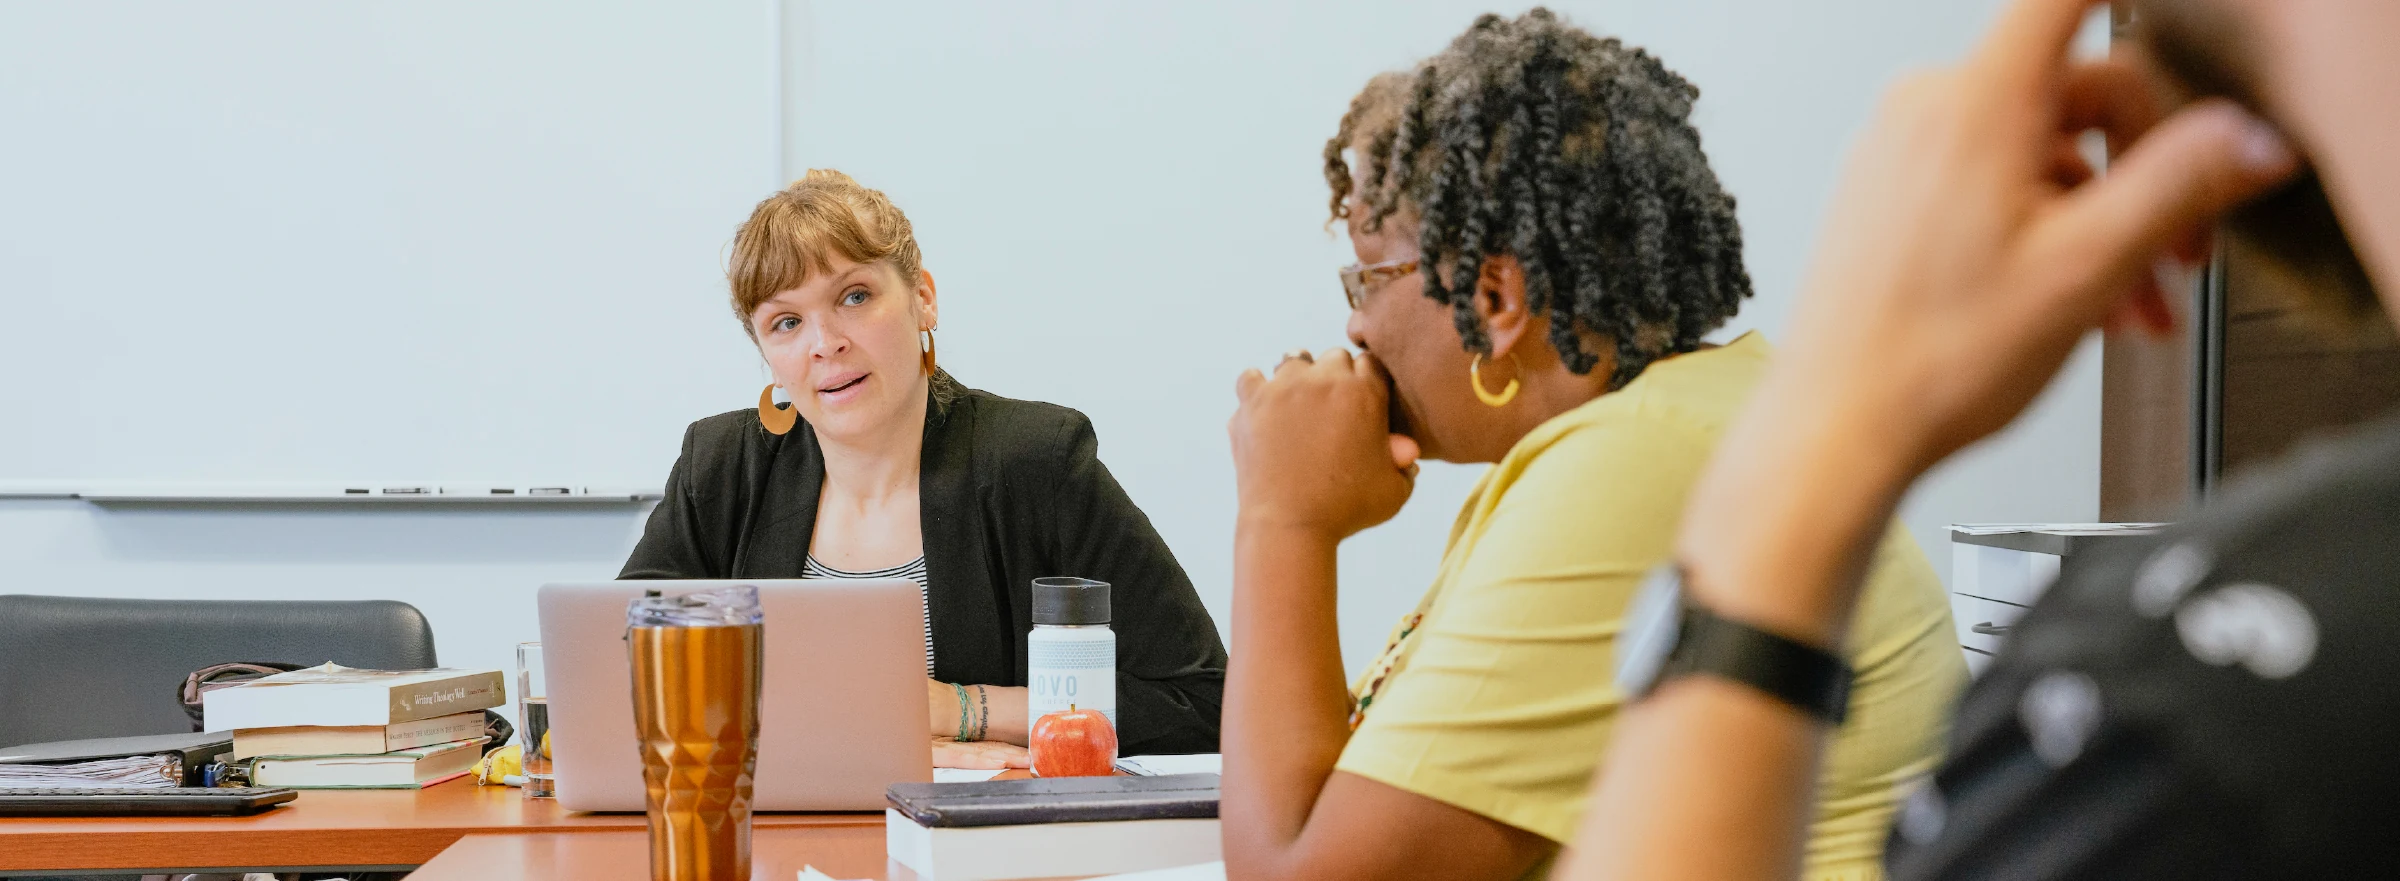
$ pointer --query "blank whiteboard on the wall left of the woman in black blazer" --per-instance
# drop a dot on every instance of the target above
(325, 241)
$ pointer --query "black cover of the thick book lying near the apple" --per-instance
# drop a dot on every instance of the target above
(1055, 801)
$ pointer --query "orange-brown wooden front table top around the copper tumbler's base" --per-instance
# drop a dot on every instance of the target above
(776, 856)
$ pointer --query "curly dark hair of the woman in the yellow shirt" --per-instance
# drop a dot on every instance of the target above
(1571, 152)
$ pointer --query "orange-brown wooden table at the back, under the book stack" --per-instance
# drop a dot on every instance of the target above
(330, 832)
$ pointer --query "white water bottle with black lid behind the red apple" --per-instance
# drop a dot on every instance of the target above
(1072, 654)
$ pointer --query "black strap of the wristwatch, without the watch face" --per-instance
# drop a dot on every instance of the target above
(1804, 676)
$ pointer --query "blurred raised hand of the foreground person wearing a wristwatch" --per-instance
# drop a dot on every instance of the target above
(1972, 248)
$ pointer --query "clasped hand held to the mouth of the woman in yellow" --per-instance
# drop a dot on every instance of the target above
(1314, 445)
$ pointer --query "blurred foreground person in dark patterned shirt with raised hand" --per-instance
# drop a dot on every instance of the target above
(2209, 705)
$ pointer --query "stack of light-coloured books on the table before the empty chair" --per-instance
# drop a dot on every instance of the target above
(340, 729)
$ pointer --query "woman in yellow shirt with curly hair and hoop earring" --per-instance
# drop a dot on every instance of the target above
(1542, 251)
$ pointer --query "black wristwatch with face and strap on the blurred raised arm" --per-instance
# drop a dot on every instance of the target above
(1672, 637)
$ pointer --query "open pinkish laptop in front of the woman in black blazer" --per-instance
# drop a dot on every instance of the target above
(841, 705)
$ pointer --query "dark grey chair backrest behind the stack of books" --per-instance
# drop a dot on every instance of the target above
(112, 669)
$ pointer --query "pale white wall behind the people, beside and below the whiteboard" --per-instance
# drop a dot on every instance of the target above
(1124, 210)
